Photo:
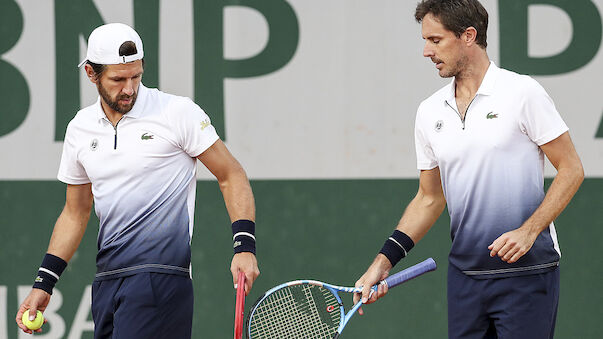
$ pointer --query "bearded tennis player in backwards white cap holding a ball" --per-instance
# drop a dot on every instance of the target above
(133, 153)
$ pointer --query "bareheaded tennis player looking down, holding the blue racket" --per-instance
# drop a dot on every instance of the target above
(480, 144)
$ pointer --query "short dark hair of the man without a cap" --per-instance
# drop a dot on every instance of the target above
(457, 16)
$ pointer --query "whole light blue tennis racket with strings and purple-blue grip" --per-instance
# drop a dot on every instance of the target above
(312, 309)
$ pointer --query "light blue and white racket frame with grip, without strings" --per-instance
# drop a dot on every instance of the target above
(394, 280)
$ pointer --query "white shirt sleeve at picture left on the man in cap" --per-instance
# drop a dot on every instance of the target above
(71, 170)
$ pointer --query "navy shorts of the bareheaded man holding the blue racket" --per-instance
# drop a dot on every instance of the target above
(515, 307)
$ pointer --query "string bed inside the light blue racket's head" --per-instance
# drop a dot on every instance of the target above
(299, 311)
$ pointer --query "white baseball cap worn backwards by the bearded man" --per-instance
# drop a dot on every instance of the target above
(104, 43)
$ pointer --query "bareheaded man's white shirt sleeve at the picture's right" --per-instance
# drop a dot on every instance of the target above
(540, 119)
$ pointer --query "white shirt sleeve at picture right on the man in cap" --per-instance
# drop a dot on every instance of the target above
(193, 127)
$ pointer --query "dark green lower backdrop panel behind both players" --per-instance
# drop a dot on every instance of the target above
(326, 230)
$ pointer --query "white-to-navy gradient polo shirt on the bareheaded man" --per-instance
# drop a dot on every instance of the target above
(491, 167)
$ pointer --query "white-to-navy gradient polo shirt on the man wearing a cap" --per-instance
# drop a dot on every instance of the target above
(143, 180)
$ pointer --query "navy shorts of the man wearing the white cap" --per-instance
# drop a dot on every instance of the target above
(144, 305)
